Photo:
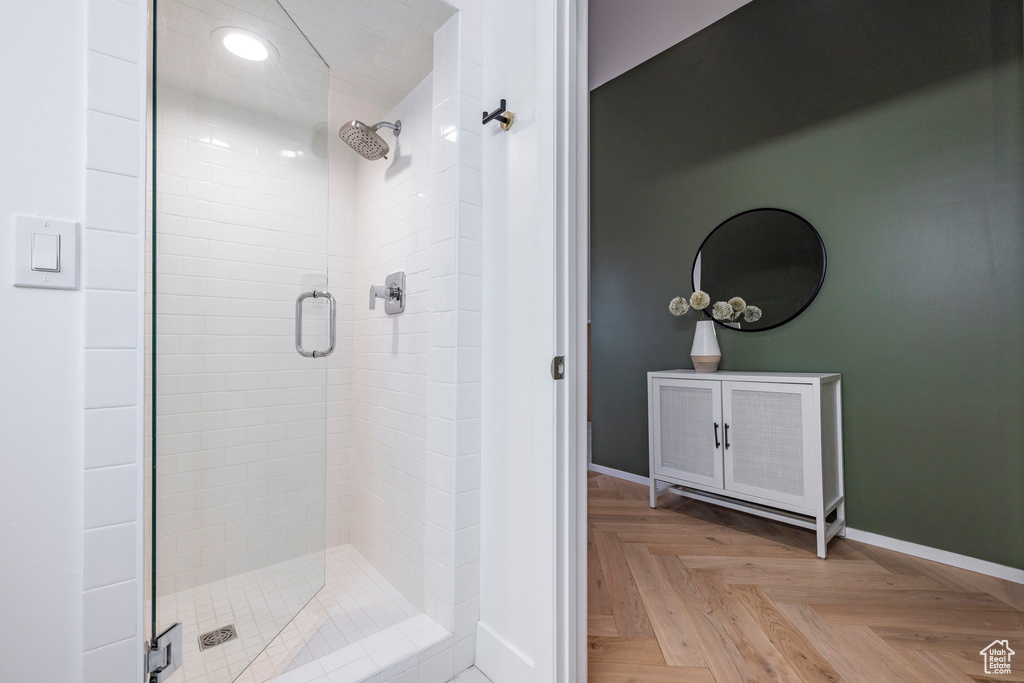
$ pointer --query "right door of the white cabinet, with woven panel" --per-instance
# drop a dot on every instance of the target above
(770, 442)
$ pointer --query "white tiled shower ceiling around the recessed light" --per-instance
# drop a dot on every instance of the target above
(377, 52)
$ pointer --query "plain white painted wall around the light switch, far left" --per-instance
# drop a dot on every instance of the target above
(42, 135)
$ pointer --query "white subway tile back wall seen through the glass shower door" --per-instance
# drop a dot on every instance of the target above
(241, 436)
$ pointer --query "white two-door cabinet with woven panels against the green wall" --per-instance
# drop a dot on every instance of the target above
(766, 444)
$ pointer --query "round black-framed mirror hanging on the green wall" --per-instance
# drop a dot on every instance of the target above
(773, 259)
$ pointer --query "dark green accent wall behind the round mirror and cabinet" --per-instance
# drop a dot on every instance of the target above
(895, 129)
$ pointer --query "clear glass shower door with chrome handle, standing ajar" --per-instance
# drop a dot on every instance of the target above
(239, 232)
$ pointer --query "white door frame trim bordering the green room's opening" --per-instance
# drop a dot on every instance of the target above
(572, 278)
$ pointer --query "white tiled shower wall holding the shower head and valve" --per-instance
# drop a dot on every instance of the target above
(404, 428)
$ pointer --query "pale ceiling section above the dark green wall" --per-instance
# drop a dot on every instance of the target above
(626, 34)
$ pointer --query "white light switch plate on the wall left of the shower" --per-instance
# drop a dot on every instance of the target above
(26, 230)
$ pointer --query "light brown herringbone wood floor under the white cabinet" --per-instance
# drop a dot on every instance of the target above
(696, 593)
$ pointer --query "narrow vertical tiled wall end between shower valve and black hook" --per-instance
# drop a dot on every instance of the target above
(454, 445)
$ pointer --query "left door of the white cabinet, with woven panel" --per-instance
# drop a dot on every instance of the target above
(688, 431)
